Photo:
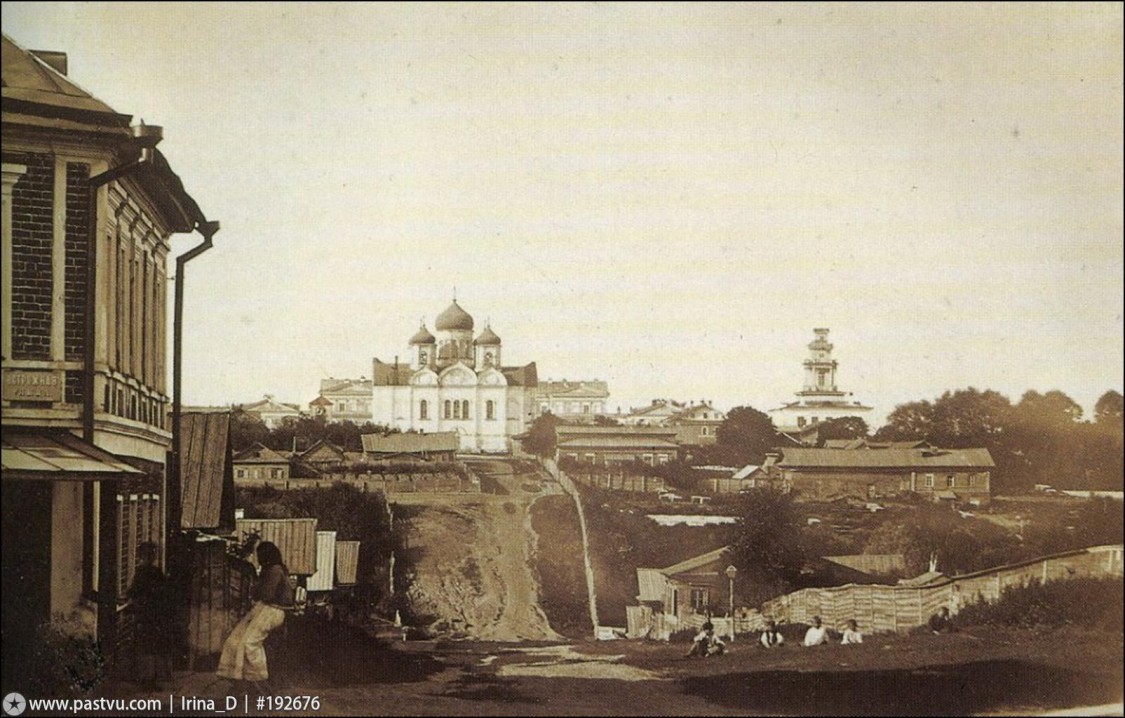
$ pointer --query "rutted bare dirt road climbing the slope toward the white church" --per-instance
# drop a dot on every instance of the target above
(473, 561)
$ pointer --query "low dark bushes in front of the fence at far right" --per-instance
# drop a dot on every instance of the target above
(1086, 603)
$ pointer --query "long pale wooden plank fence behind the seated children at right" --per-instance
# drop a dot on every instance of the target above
(902, 608)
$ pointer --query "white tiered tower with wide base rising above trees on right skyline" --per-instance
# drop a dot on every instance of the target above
(821, 399)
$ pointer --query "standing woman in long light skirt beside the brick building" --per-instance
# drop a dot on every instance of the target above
(244, 654)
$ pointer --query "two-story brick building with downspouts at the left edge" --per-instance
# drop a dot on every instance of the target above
(89, 207)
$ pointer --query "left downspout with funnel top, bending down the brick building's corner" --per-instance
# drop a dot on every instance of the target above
(147, 138)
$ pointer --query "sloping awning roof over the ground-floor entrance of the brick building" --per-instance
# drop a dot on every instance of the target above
(59, 456)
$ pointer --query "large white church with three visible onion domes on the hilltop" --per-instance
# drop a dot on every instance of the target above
(456, 382)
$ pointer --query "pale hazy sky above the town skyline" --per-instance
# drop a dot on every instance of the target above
(667, 198)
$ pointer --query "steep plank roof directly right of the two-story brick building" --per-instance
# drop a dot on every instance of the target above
(208, 478)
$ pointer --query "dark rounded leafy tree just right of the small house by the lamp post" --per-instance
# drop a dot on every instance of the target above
(767, 544)
